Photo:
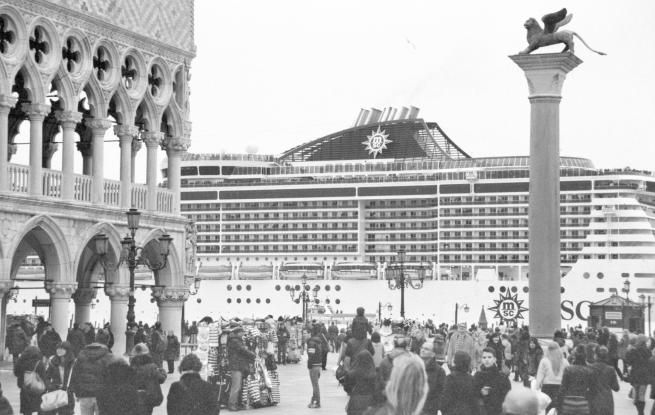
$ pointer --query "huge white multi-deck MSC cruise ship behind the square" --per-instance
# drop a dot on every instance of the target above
(338, 210)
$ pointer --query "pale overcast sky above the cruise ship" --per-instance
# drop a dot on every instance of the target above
(275, 74)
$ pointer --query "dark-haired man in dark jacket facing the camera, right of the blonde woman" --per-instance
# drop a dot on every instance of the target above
(490, 383)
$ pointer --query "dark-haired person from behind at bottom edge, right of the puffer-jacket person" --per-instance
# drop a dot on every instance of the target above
(119, 382)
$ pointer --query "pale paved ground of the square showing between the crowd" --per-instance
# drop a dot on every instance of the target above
(295, 392)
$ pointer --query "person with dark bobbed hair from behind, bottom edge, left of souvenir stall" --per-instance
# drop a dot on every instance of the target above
(191, 395)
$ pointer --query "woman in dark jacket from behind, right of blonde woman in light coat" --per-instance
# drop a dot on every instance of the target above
(578, 385)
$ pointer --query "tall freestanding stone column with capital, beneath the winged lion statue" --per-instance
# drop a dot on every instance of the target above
(545, 74)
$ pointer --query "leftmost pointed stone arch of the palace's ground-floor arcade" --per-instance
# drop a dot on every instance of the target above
(43, 236)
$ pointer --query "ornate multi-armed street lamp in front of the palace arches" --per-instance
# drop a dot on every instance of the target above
(132, 255)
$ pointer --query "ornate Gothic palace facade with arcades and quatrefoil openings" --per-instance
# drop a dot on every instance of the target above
(85, 74)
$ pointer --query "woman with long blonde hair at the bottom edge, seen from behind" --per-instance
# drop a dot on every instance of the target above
(406, 389)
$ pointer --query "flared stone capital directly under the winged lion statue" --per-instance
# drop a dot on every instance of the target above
(546, 72)
